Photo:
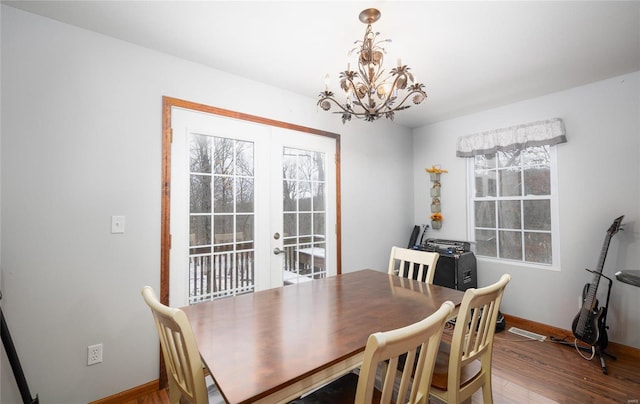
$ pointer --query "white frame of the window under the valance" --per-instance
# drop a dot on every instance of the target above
(554, 213)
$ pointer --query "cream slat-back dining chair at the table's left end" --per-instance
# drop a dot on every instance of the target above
(181, 356)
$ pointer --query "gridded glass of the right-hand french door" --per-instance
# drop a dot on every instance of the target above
(304, 215)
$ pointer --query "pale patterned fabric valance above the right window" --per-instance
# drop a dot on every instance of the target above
(541, 133)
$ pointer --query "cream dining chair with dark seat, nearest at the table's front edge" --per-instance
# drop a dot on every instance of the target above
(377, 381)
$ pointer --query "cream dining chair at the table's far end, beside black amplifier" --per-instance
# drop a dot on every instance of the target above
(413, 264)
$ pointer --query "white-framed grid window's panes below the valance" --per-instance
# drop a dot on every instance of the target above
(513, 204)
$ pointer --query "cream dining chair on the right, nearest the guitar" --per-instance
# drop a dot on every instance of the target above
(464, 366)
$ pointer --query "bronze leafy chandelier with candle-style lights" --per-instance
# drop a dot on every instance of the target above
(369, 93)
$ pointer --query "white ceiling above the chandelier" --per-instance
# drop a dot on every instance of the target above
(471, 56)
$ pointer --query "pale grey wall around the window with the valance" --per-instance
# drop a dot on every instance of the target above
(598, 180)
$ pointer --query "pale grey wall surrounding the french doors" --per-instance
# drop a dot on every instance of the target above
(81, 141)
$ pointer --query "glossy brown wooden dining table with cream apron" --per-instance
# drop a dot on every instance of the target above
(274, 345)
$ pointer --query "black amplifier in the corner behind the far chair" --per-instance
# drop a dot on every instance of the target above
(456, 267)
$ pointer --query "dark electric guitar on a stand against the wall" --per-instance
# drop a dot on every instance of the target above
(589, 324)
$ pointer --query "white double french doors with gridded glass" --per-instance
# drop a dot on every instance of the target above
(253, 206)
